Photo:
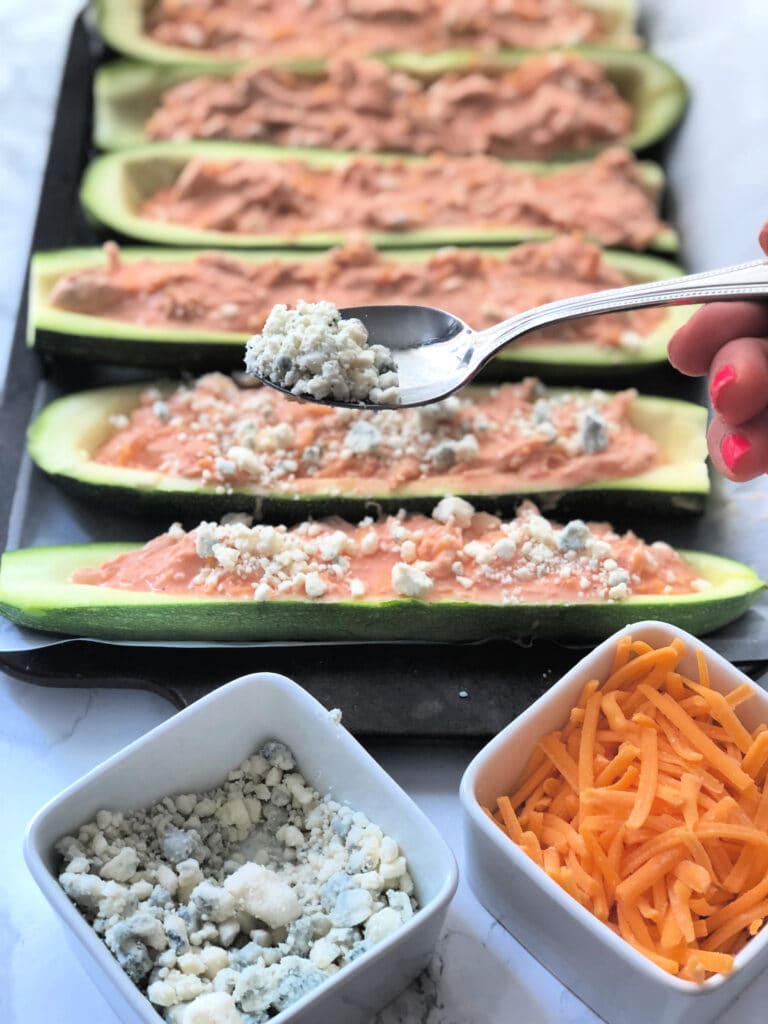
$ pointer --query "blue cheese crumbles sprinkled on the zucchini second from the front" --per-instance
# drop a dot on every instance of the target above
(242, 447)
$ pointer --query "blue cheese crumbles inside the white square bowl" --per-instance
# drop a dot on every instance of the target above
(227, 907)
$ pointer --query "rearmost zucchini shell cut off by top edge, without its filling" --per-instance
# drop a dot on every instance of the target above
(122, 25)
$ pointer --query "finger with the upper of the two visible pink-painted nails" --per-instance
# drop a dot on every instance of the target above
(739, 380)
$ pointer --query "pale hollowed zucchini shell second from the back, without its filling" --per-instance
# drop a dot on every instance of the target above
(126, 94)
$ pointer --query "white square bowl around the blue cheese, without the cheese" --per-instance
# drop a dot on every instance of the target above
(193, 752)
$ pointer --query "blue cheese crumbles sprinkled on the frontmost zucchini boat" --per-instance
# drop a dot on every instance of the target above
(312, 559)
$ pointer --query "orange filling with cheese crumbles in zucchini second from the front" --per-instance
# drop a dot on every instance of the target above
(517, 436)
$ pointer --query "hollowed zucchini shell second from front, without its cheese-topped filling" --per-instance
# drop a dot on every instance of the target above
(64, 438)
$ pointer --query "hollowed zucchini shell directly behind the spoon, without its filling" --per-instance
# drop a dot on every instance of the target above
(62, 332)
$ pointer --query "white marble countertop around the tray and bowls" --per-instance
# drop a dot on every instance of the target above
(51, 738)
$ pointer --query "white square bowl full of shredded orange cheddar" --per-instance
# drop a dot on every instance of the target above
(619, 828)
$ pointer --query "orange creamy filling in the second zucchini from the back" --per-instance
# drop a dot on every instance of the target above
(551, 104)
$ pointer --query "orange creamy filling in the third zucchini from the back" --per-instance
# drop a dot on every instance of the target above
(605, 198)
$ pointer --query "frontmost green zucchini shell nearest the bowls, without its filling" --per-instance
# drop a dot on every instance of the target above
(35, 592)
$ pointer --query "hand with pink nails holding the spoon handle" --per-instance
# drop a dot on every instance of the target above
(729, 343)
